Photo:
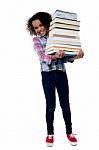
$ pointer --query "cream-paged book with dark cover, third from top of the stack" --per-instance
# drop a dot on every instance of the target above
(64, 26)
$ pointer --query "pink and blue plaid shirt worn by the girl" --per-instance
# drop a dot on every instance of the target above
(47, 64)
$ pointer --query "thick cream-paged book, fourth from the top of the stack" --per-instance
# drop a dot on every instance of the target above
(63, 32)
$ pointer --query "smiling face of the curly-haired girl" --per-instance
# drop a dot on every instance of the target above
(39, 28)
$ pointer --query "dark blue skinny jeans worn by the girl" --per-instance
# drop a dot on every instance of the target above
(51, 81)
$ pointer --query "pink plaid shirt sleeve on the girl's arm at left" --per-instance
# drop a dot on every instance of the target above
(40, 51)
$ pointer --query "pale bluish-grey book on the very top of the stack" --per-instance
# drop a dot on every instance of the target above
(64, 14)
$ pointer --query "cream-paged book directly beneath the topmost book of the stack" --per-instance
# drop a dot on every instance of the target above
(66, 21)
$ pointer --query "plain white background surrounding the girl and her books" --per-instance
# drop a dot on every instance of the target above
(22, 101)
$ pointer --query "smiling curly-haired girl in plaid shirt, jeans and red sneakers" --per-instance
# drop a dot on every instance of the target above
(53, 74)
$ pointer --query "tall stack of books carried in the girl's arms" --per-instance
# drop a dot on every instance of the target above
(64, 34)
